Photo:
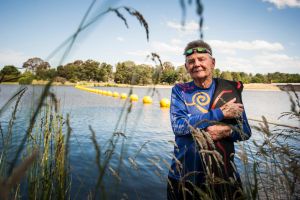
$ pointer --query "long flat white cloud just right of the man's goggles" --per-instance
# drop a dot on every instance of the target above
(231, 47)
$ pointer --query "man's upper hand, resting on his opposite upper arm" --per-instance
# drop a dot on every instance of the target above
(232, 109)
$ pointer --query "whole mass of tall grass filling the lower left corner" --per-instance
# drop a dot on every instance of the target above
(43, 155)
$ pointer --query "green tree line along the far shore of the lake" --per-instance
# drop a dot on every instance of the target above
(125, 72)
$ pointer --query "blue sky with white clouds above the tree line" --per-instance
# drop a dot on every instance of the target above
(252, 36)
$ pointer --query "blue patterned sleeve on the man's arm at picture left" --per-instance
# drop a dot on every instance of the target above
(181, 119)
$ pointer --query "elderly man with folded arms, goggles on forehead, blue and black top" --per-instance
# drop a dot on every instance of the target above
(207, 117)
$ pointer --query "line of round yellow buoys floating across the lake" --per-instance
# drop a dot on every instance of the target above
(164, 103)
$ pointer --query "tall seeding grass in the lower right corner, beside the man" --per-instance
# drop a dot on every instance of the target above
(276, 166)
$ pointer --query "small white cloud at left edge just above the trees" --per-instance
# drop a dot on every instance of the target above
(10, 57)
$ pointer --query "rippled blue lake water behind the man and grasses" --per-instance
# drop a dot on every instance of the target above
(147, 128)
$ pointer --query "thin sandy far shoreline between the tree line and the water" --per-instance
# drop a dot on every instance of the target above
(247, 87)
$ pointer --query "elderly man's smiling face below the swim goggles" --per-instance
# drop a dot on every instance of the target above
(200, 65)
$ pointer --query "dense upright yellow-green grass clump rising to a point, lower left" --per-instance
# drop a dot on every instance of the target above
(50, 175)
